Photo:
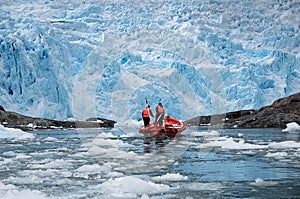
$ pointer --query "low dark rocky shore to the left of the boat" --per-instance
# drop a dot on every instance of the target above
(15, 120)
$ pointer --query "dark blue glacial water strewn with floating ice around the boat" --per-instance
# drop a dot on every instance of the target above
(112, 163)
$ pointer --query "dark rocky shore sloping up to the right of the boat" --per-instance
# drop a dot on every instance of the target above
(276, 115)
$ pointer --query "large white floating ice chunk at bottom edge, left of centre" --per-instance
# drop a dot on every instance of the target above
(130, 185)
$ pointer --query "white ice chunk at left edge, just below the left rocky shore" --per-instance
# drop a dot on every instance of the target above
(14, 133)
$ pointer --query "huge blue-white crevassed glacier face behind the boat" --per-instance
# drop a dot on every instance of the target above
(103, 58)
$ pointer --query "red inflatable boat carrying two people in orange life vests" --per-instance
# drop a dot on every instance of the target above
(171, 128)
